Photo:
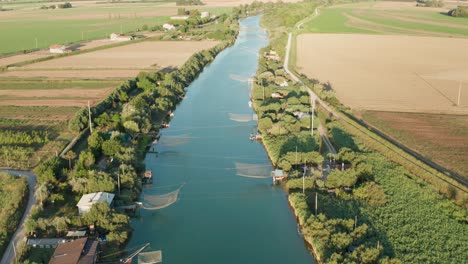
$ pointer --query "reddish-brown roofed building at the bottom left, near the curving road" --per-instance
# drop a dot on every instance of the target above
(80, 251)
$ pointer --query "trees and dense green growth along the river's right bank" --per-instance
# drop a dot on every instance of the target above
(371, 211)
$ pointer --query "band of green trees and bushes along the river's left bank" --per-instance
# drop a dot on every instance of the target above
(124, 124)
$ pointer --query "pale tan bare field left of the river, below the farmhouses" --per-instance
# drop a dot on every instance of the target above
(118, 62)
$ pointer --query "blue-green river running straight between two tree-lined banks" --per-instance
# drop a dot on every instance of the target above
(219, 217)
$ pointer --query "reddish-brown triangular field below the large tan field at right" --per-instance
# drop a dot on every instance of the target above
(441, 138)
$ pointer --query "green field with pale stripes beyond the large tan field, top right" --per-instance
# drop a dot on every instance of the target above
(387, 18)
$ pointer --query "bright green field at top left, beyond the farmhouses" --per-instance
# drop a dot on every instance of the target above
(28, 27)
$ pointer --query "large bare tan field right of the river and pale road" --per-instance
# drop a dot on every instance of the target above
(391, 73)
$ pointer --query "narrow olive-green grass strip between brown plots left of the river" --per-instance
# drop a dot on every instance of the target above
(26, 84)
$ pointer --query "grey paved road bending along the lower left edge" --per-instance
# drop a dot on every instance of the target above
(9, 255)
